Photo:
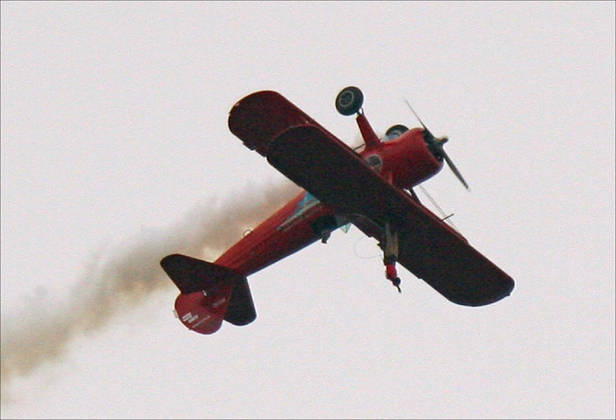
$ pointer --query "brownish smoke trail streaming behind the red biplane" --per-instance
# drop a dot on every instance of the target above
(129, 276)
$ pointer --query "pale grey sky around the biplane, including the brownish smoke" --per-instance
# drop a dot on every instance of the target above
(115, 149)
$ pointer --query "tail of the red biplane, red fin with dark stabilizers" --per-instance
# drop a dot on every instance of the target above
(227, 294)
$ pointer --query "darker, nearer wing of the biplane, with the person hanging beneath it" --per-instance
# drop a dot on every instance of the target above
(429, 248)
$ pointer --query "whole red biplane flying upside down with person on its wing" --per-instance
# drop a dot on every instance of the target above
(371, 189)
